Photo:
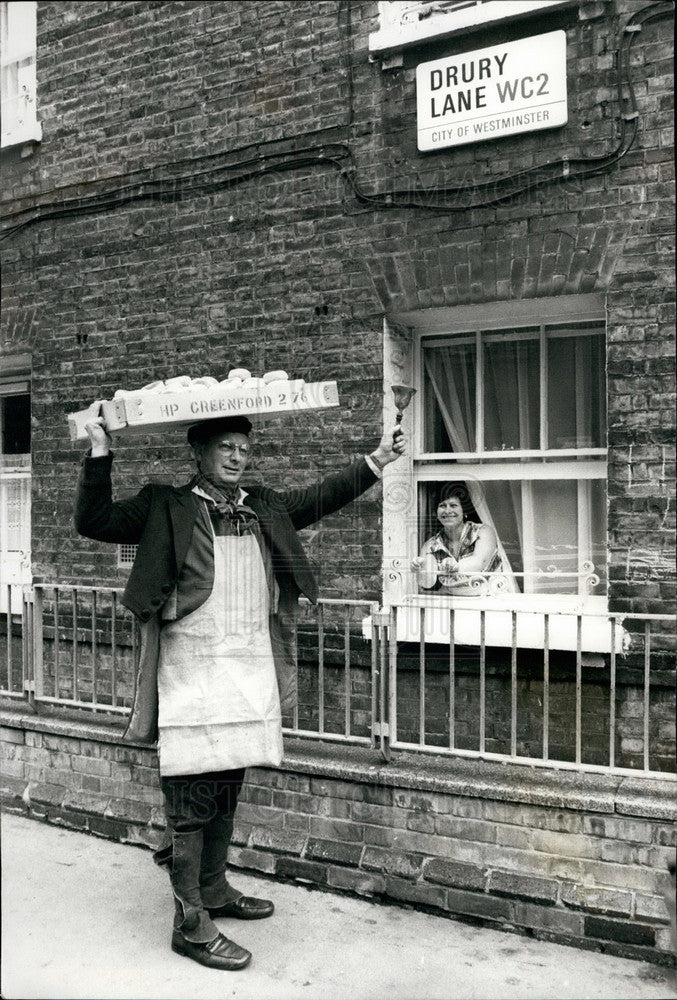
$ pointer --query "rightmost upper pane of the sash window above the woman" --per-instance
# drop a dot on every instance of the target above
(576, 392)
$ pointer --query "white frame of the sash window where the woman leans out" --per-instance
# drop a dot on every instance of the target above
(404, 334)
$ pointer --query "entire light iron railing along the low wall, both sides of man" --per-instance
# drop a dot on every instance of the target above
(365, 678)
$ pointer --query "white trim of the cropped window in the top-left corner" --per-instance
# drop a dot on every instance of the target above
(17, 51)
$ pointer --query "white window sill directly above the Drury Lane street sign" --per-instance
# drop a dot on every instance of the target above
(393, 37)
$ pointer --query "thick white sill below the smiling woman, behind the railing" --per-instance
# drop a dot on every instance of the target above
(599, 634)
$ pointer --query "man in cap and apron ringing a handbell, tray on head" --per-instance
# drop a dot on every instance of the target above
(215, 584)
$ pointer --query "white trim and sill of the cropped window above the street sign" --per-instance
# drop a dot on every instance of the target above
(401, 26)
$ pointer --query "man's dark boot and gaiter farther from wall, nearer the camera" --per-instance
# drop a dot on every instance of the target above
(194, 934)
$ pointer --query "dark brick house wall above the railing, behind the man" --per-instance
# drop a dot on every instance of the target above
(288, 269)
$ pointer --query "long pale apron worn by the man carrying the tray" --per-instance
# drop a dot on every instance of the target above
(219, 706)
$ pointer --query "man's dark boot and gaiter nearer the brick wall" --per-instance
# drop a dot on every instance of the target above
(219, 898)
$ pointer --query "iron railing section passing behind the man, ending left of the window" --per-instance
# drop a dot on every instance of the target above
(76, 647)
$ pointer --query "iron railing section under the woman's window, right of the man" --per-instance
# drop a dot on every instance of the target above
(613, 711)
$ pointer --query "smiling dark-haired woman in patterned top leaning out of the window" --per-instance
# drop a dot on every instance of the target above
(461, 551)
